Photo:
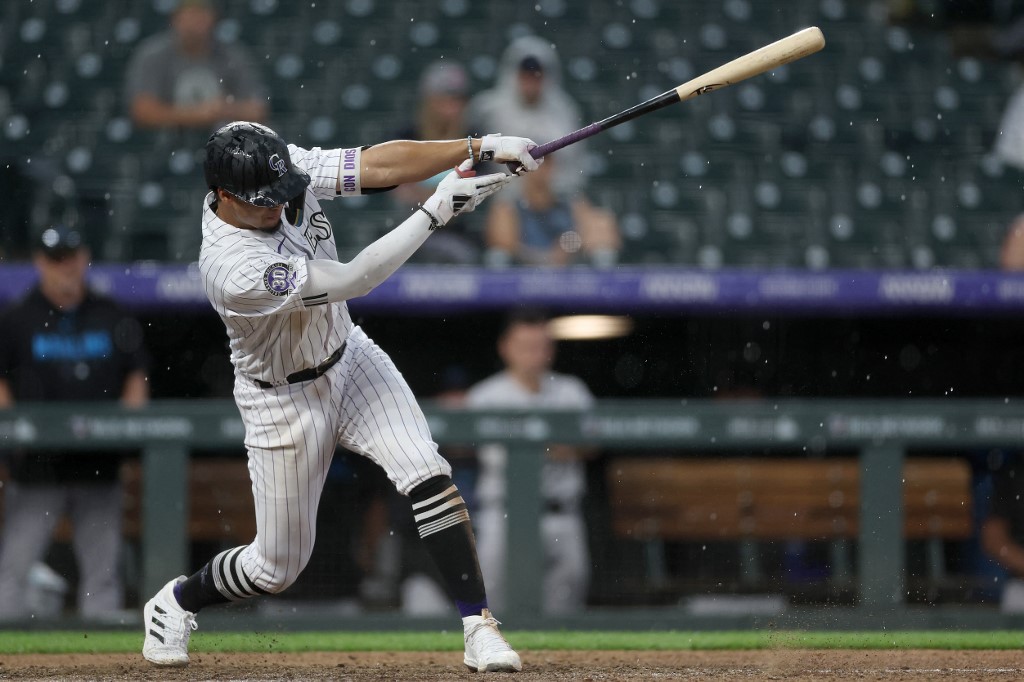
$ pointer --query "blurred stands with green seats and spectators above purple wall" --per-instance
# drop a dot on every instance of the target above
(898, 147)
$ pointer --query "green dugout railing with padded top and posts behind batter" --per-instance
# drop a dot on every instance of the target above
(881, 432)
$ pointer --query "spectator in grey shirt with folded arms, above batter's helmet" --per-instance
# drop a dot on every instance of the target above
(186, 79)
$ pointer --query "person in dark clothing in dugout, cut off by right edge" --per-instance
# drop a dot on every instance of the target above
(1003, 531)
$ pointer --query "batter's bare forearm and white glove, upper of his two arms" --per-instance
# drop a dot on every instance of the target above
(402, 161)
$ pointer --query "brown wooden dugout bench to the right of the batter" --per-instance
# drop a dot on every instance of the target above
(750, 501)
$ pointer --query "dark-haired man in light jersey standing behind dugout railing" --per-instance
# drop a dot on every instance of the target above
(528, 352)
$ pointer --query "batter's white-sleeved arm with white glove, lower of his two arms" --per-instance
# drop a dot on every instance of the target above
(331, 281)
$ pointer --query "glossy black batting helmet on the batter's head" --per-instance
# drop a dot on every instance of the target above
(252, 162)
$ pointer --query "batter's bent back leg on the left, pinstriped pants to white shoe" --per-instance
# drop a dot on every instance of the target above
(290, 438)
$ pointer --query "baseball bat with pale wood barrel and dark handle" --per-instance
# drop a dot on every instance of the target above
(791, 49)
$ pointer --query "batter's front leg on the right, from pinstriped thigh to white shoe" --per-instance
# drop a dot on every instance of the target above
(383, 421)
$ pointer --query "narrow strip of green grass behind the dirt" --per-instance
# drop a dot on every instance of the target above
(122, 643)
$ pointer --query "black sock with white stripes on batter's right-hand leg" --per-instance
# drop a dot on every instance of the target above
(443, 523)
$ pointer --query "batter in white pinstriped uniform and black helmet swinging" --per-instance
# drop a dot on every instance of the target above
(308, 378)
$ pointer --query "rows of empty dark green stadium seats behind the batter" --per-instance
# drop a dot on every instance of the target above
(889, 103)
